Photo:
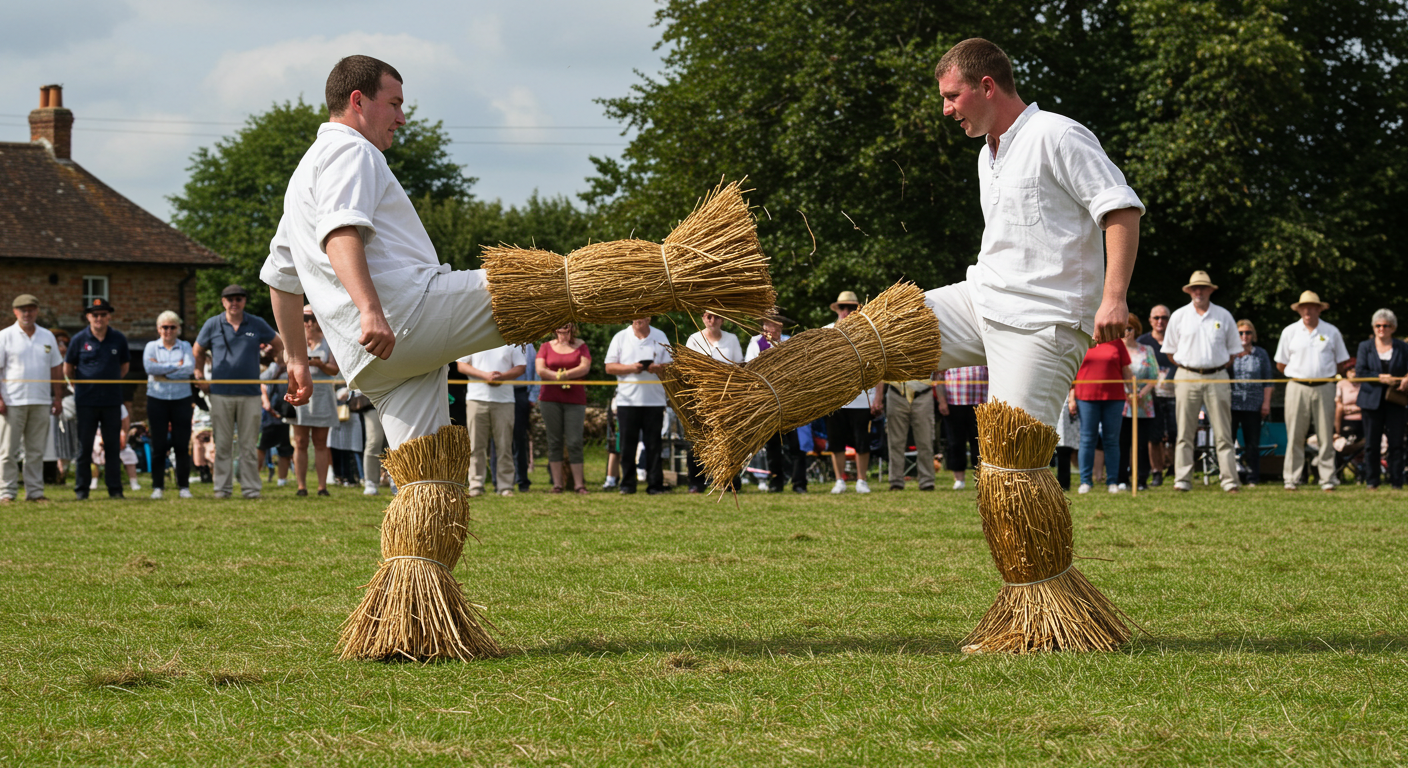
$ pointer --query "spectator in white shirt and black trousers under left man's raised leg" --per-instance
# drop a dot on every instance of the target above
(639, 356)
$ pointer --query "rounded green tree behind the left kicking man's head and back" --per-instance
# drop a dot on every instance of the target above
(234, 198)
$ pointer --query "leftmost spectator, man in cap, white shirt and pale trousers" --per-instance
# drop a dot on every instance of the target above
(32, 353)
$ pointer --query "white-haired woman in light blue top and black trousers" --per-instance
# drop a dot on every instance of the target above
(170, 402)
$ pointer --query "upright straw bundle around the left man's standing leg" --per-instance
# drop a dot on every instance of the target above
(413, 607)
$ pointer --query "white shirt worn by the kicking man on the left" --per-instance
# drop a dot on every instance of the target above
(343, 181)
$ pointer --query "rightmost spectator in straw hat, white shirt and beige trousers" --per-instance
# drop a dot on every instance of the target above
(1310, 350)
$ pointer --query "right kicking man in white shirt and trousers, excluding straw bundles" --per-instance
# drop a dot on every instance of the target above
(1060, 240)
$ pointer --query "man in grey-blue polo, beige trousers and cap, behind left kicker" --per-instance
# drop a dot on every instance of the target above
(233, 339)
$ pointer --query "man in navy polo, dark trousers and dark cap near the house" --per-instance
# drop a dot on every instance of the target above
(99, 353)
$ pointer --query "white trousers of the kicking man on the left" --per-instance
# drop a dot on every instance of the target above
(410, 390)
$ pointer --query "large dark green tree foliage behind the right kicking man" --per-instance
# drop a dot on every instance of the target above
(1265, 136)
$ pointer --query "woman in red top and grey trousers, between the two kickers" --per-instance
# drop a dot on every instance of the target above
(564, 407)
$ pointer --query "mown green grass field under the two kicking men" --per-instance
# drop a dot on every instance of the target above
(674, 631)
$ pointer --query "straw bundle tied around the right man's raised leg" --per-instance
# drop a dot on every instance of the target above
(731, 411)
